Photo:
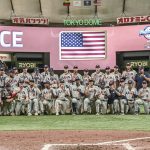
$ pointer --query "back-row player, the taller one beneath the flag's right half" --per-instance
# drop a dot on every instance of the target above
(97, 76)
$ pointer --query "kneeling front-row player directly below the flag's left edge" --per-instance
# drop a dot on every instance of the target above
(61, 101)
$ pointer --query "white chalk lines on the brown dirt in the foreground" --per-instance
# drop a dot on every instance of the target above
(49, 146)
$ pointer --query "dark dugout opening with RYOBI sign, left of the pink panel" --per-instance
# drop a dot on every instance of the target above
(26, 59)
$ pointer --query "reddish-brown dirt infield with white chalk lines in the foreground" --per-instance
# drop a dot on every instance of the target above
(72, 140)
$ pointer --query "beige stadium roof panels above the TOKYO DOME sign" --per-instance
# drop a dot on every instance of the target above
(56, 12)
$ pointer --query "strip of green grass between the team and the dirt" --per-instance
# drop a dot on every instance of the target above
(80, 122)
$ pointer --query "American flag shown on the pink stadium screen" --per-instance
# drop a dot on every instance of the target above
(82, 45)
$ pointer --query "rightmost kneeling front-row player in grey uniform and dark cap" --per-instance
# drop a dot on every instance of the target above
(144, 98)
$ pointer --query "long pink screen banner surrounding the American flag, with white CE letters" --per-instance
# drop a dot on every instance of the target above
(35, 39)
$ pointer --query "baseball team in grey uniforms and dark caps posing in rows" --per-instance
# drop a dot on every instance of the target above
(109, 92)
